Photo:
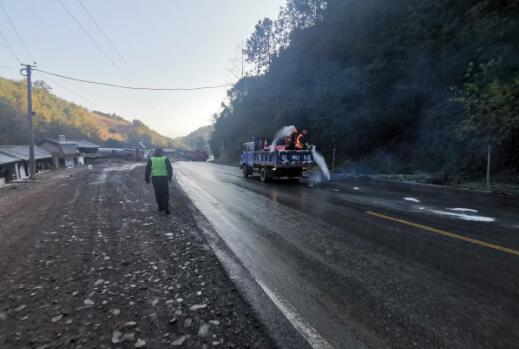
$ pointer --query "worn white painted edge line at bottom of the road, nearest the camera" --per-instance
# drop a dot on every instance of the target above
(311, 335)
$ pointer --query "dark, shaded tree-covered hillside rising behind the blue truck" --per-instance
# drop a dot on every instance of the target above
(395, 86)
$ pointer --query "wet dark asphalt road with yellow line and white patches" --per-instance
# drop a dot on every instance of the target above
(363, 264)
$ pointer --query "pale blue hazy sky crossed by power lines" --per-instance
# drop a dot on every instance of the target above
(166, 43)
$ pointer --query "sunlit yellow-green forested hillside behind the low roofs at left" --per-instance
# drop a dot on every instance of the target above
(55, 116)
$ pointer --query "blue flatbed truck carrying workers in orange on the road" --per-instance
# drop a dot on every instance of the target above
(257, 158)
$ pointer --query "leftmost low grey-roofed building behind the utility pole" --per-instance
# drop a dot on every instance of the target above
(14, 161)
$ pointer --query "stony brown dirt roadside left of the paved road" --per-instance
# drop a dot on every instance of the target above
(87, 262)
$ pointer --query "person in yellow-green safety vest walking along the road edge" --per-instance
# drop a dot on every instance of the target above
(161, 172)
